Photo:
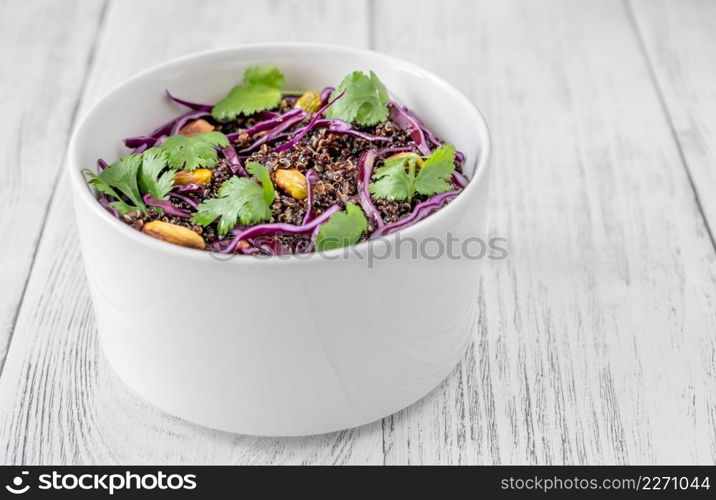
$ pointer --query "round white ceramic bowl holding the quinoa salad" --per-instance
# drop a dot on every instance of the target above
(279, 346)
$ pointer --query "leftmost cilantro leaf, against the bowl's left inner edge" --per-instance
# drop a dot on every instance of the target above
(121, 177)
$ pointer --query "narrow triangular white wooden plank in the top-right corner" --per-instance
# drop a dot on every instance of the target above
(679, 40)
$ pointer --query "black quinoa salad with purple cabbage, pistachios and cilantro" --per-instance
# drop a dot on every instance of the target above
(271, 171)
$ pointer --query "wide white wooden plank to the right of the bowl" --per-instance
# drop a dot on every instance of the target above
(597, 337)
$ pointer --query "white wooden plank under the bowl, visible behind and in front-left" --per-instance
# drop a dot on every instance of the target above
(59, 401)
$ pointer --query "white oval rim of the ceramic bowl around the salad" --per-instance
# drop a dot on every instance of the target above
(82, 192)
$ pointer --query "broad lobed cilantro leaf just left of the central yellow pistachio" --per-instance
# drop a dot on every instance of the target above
(240, 199)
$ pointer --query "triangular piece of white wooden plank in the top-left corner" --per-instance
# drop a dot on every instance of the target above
(44, 67)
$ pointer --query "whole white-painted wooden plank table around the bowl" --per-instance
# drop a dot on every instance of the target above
(597, 337)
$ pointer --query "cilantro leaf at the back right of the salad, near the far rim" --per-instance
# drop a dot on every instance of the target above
(364, 100)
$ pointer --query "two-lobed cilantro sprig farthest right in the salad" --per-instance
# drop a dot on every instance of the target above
(393, 182)
